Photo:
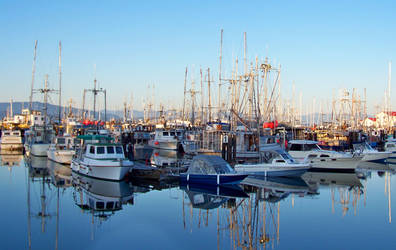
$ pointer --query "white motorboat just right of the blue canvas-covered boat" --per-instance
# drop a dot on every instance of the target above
(274, 162)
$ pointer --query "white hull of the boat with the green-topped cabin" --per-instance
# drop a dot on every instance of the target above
(108, 170)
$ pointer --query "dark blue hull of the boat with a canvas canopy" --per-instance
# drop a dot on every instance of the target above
(212, 179)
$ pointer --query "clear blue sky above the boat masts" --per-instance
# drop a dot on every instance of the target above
(322, 46)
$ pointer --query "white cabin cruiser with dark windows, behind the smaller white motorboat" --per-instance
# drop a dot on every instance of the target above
(322, 160)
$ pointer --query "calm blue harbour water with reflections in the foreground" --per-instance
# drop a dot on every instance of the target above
(44, 206)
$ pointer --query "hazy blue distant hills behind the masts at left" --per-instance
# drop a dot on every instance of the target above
(53, 110)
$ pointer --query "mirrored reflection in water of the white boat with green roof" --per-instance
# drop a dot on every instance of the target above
(101, 198)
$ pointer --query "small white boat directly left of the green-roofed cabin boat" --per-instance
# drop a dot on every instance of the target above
(62, 149)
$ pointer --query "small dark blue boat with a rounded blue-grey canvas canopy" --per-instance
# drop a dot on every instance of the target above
(210, 170)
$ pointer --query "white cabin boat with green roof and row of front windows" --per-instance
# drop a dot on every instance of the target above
(100, 158)
